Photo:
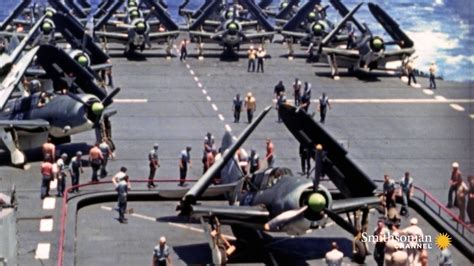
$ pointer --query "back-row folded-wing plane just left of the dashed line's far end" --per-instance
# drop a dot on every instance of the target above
(140, 32)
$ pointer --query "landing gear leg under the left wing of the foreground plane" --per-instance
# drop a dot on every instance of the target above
(220, 247)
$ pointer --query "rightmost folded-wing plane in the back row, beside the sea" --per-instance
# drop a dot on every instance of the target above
(368, 52)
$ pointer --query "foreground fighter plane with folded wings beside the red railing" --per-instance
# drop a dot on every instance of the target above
(274, 200)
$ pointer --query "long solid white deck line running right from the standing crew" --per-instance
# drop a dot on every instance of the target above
(438, 99)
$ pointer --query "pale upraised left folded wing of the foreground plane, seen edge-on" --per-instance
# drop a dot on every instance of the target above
(203, 183)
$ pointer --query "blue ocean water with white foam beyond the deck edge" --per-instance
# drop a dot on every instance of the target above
(441, 29)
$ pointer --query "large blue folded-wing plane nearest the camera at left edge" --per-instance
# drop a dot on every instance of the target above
(27, 120)
